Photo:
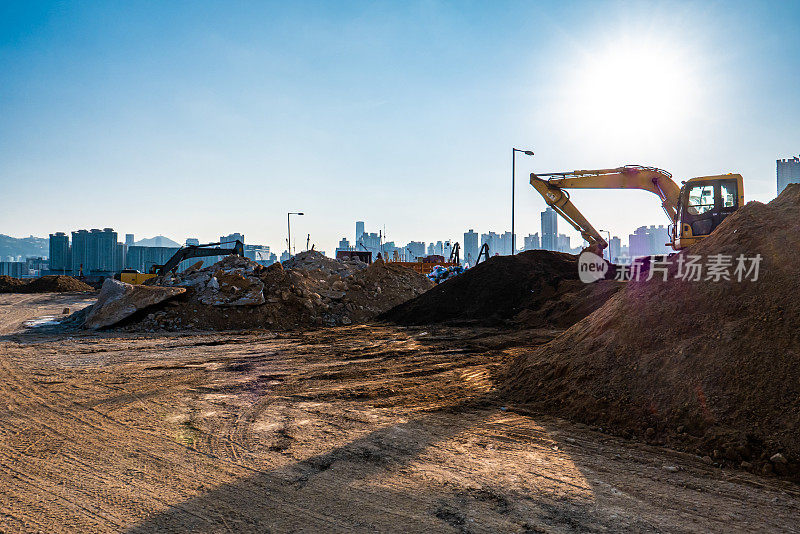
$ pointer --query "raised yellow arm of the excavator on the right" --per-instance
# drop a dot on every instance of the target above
(553, 190)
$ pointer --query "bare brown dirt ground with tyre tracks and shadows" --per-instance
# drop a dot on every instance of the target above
(348, 429)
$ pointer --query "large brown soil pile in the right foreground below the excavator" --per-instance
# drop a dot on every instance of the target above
(712, 367)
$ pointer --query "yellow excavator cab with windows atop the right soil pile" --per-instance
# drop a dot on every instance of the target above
(703, 204)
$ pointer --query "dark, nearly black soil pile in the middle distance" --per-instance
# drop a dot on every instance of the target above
(535, 288)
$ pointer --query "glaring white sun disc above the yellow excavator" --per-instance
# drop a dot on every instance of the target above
(630, 90)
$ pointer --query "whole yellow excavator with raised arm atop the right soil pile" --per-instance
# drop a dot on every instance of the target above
(695, 209)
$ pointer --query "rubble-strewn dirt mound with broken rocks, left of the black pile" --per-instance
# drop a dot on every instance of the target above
(237, 293)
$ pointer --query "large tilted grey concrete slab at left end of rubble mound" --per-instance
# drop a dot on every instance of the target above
(118, 300)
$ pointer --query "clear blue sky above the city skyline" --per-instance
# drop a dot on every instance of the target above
(198, 119)
